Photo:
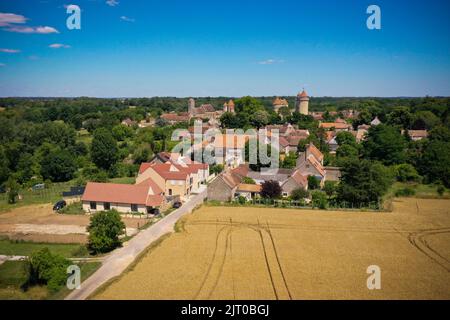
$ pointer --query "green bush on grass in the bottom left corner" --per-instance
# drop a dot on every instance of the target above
(46, 268)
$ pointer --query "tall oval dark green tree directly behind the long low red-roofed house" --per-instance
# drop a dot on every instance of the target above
(104, 151)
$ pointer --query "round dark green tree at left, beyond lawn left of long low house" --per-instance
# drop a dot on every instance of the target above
(58, 166)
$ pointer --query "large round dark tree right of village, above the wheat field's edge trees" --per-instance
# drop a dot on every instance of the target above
(386, 144)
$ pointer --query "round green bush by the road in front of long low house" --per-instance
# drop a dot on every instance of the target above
(104, 231)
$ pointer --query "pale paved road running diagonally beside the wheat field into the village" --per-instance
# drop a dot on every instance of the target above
(121, 258)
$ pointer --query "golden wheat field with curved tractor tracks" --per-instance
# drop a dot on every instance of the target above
(254, 253)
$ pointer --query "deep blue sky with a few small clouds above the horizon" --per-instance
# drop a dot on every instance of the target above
(144, 48)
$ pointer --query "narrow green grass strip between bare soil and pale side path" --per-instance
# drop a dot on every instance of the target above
(22, 248)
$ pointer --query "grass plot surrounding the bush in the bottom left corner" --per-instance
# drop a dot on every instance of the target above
(13, 276)
